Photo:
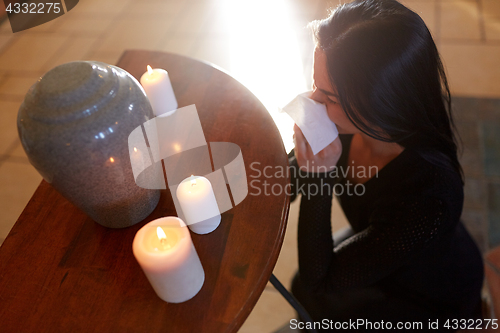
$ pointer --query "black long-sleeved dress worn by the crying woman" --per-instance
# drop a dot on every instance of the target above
(410, 259)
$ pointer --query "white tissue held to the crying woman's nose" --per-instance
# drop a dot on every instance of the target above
(312, 119)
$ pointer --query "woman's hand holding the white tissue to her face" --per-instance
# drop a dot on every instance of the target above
(324, 161)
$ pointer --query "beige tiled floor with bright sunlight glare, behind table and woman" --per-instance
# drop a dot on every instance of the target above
(264, 44)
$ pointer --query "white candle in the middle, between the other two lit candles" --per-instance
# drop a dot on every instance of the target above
(197, 200)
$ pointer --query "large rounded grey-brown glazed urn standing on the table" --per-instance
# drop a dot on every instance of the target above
(74, 125)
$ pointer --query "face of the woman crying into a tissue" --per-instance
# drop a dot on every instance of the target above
(323, 92)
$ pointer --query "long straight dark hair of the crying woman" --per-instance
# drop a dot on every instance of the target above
(387, 72)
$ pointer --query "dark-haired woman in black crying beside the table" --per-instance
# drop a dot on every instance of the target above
(408, 258)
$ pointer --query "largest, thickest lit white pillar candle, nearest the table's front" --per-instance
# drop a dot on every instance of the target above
(166, 253)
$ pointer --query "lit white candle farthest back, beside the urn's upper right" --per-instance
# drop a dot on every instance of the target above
(158, 88)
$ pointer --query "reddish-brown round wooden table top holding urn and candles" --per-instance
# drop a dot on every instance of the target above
(60, 271)
